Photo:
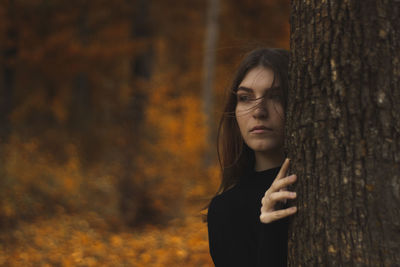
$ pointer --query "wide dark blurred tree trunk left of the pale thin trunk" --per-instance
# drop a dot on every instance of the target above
(134, 203)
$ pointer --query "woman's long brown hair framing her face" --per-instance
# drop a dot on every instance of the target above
(235, 157)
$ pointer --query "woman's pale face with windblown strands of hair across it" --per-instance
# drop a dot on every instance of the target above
(259, 112)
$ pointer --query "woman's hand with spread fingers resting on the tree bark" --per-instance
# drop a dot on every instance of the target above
(277, 192)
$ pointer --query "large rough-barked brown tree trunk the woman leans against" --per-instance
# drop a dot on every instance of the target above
(344, 133)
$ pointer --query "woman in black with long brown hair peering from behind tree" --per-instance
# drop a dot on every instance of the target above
(251, 137)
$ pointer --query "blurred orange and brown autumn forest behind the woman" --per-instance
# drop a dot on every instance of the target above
(107, 156)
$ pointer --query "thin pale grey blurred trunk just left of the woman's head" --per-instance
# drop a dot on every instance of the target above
(211, 39)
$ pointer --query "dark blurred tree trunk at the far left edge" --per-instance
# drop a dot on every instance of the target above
(10, 50)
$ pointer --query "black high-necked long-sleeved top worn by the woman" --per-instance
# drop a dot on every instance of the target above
(236, 235)
